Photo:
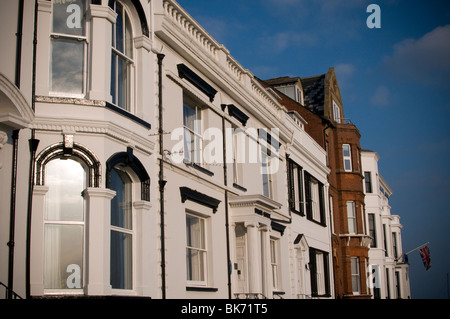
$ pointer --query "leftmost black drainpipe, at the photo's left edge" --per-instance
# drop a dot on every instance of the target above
(15, 137)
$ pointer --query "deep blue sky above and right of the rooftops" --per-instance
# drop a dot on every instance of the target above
(395, 87)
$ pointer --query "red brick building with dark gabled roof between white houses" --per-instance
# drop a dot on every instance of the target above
(318, 100)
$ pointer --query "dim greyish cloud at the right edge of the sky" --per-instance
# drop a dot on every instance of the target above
(424, 60)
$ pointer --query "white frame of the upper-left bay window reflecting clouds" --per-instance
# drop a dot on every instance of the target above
(56, 36)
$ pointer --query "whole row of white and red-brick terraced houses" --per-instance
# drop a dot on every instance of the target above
(139, 158)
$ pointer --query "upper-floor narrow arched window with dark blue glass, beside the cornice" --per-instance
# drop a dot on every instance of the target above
(122, 58)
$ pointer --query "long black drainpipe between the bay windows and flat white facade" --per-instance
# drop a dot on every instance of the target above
(162, 182)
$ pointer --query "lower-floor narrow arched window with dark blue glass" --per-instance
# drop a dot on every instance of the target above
(121, 230)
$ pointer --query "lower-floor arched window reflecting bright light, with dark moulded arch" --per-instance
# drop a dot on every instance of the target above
(66, 172)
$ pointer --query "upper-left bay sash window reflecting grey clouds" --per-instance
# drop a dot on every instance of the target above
(68, 48)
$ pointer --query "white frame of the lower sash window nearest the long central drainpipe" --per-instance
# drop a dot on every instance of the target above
(202, 250)
